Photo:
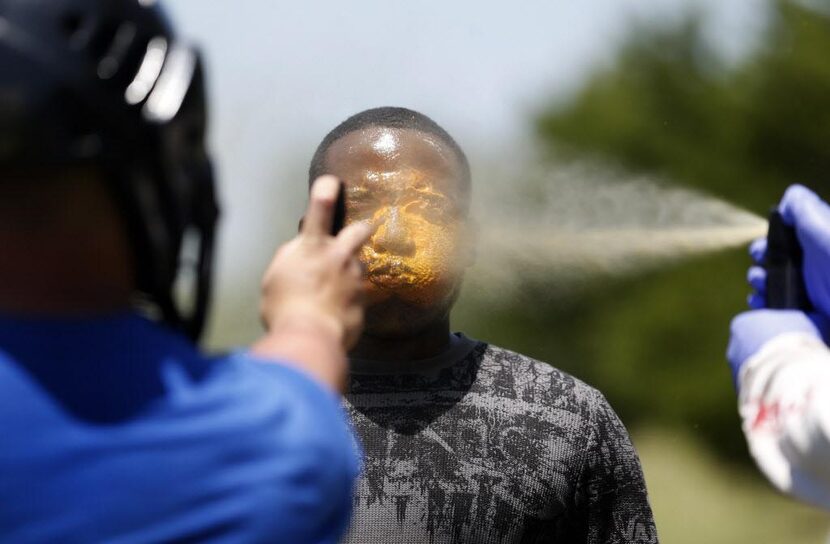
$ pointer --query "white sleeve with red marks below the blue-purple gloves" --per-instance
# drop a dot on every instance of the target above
(784, 405)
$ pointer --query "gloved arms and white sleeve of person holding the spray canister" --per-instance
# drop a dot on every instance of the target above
(781, 363)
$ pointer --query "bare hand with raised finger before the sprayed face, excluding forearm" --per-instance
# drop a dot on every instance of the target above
(316, 278)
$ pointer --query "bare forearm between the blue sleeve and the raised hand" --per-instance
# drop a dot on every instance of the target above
(310, 345)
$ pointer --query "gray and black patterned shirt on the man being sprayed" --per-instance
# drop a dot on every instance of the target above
(483, 445)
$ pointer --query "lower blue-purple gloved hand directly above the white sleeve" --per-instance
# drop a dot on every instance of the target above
(751, 330)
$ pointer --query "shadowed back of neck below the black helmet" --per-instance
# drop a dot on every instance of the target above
(64, 246)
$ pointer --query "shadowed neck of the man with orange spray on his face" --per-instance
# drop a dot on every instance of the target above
(432, 341)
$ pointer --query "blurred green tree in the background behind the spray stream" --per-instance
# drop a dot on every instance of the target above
(744, 131)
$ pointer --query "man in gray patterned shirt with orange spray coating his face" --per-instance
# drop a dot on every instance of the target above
(464, 441)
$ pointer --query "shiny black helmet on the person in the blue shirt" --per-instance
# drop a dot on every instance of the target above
(107, 82)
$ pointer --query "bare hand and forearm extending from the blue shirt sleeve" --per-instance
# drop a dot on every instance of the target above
(312, 293)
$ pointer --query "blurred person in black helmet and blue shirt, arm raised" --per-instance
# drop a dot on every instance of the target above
(115, 427)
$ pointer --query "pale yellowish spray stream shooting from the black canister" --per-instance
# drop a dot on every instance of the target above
(582, 222)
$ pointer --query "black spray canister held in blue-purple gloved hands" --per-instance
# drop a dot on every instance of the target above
(783, 263)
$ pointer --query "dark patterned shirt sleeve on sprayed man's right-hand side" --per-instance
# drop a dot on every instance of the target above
(612, 486)
